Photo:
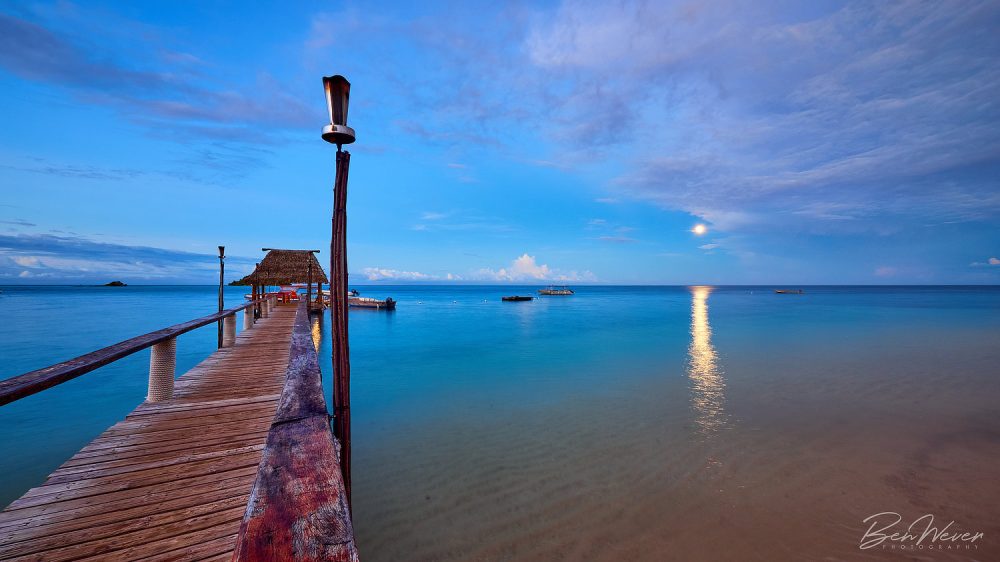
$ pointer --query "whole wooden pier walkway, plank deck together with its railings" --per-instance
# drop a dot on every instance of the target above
(239, 463)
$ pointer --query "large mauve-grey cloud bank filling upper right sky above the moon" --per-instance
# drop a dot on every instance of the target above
(871, 111)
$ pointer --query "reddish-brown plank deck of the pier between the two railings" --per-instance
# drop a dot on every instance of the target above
(171, 481)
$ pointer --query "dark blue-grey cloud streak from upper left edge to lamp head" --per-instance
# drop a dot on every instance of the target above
(160, 95)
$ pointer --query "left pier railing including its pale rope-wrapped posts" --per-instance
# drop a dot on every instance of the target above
(162, 359)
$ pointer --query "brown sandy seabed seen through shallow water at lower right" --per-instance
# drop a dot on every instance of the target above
(780, 458)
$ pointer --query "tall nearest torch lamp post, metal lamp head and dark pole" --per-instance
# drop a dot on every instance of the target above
(338, 93)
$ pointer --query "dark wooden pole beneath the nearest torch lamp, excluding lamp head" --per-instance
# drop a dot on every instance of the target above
(338, 317)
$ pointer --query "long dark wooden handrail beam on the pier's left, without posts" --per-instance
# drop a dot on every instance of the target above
(30, 383)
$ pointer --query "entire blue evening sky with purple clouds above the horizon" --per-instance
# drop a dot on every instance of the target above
(821, 142)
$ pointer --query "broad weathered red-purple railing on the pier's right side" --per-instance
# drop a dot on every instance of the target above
(298, 506)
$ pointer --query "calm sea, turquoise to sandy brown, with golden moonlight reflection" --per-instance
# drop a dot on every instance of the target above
(619, 423)
